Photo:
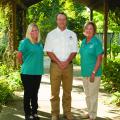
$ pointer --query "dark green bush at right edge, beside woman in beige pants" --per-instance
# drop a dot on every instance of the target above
(111, 76)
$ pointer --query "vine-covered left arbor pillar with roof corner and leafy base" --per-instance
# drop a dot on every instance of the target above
(17, 26)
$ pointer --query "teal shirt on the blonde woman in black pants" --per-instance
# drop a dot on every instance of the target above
(32, 56)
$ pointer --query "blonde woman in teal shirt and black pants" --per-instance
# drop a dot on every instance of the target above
(30, 56)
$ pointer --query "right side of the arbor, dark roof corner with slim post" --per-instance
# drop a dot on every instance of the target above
(103, 6)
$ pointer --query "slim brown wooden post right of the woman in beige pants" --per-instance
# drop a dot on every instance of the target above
(105, 29)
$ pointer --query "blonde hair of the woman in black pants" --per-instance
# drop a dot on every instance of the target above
(29, 29)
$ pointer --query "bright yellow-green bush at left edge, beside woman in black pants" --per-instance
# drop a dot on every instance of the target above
(9, 82)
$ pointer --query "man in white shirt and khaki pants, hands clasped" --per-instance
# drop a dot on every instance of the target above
(61, 47)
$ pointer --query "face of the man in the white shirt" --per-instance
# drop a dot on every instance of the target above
(61, 21)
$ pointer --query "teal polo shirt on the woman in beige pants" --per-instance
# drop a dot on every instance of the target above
(89, 53)
